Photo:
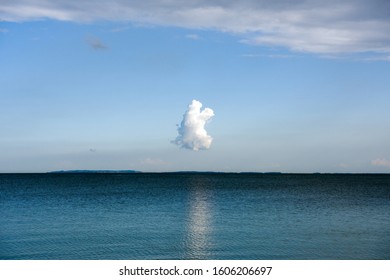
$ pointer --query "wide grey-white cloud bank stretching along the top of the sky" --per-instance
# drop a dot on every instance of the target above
(315, 26)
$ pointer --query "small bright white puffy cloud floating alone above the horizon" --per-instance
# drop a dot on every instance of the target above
(192, 132)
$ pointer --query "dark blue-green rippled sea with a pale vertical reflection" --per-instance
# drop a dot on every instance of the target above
(194, 216)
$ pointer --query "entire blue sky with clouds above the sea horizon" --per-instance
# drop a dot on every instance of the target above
(257, 86)
